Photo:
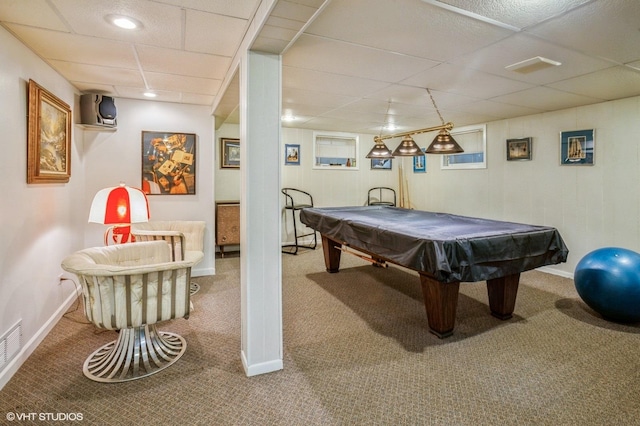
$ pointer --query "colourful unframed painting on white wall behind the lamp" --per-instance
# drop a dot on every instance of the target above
(168, 163)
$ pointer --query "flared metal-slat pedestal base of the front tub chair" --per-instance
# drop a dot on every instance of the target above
(138, 352)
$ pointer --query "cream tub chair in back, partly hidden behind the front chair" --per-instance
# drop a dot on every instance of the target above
(185, 237)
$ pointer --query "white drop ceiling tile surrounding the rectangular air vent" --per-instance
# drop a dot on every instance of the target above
(495, 58)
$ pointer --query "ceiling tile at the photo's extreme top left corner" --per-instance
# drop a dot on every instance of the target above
(34, 13)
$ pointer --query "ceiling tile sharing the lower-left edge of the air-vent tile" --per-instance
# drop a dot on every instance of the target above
(465, 81)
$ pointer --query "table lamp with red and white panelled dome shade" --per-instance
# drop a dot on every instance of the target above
(119, 207)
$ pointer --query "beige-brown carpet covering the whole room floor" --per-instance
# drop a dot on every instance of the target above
(357, 352)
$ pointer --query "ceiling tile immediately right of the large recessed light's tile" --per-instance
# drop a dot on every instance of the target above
(215, 34)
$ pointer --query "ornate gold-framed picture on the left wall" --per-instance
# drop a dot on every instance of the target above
(48, 137)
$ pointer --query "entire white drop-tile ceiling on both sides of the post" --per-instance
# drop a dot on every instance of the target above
(347, 62)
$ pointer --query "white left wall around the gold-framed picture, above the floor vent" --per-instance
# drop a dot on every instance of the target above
(40, 223)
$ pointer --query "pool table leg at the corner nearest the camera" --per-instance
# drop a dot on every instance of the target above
(441, 302)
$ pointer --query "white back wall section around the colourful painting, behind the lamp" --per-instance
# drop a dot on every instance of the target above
(114, 157)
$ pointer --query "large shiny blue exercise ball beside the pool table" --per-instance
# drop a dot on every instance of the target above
(608, 280)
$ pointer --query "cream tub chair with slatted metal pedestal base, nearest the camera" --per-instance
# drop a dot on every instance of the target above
(130, 288)
